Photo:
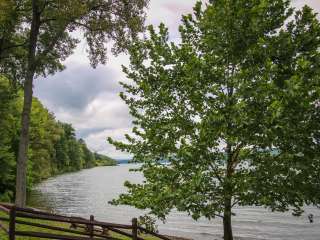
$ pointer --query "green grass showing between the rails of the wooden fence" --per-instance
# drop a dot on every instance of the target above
(19, 227)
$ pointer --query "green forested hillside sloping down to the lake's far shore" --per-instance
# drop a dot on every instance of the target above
(54, 148)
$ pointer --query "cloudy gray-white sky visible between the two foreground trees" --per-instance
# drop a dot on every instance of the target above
(89, 98)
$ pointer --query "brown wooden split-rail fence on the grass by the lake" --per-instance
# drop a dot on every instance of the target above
(80, 228)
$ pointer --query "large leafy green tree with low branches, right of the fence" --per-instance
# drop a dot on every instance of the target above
(233, 109)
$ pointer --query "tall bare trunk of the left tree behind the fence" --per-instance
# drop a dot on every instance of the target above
(21, 178)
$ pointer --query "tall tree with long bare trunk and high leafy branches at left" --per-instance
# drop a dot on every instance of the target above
(40, 38)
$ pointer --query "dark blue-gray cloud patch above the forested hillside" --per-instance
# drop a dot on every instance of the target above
(74, 88)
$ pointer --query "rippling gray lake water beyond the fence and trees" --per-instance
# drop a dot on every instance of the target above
(88, 192)
